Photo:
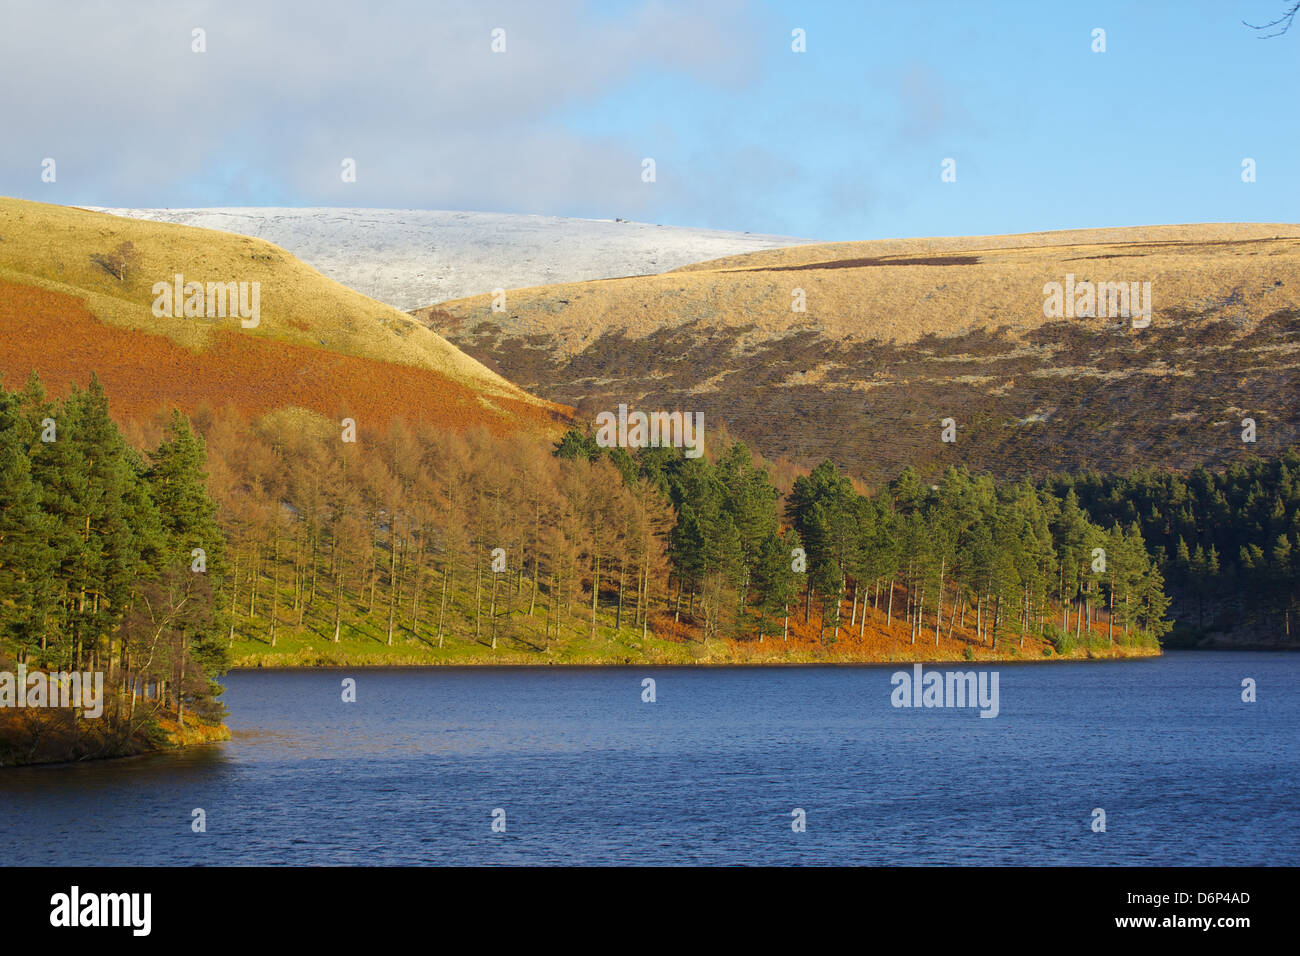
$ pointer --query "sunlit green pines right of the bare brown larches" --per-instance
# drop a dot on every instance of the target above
(1009, 559)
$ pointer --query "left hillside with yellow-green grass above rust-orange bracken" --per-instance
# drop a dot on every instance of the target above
(77, 296)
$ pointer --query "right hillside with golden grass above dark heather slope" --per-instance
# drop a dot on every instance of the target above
(900, 335)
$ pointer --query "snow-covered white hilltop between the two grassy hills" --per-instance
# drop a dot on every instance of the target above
(411, 258)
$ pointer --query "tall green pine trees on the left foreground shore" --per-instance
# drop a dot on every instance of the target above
(110, 560)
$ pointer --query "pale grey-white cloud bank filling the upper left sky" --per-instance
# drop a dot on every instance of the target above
(287, 90)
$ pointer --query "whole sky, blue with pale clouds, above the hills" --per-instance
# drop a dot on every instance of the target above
(842, 142)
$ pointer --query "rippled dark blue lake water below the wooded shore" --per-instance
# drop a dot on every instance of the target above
(710, 773)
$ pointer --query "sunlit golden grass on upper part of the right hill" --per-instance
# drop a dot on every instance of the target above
(899, 291)
